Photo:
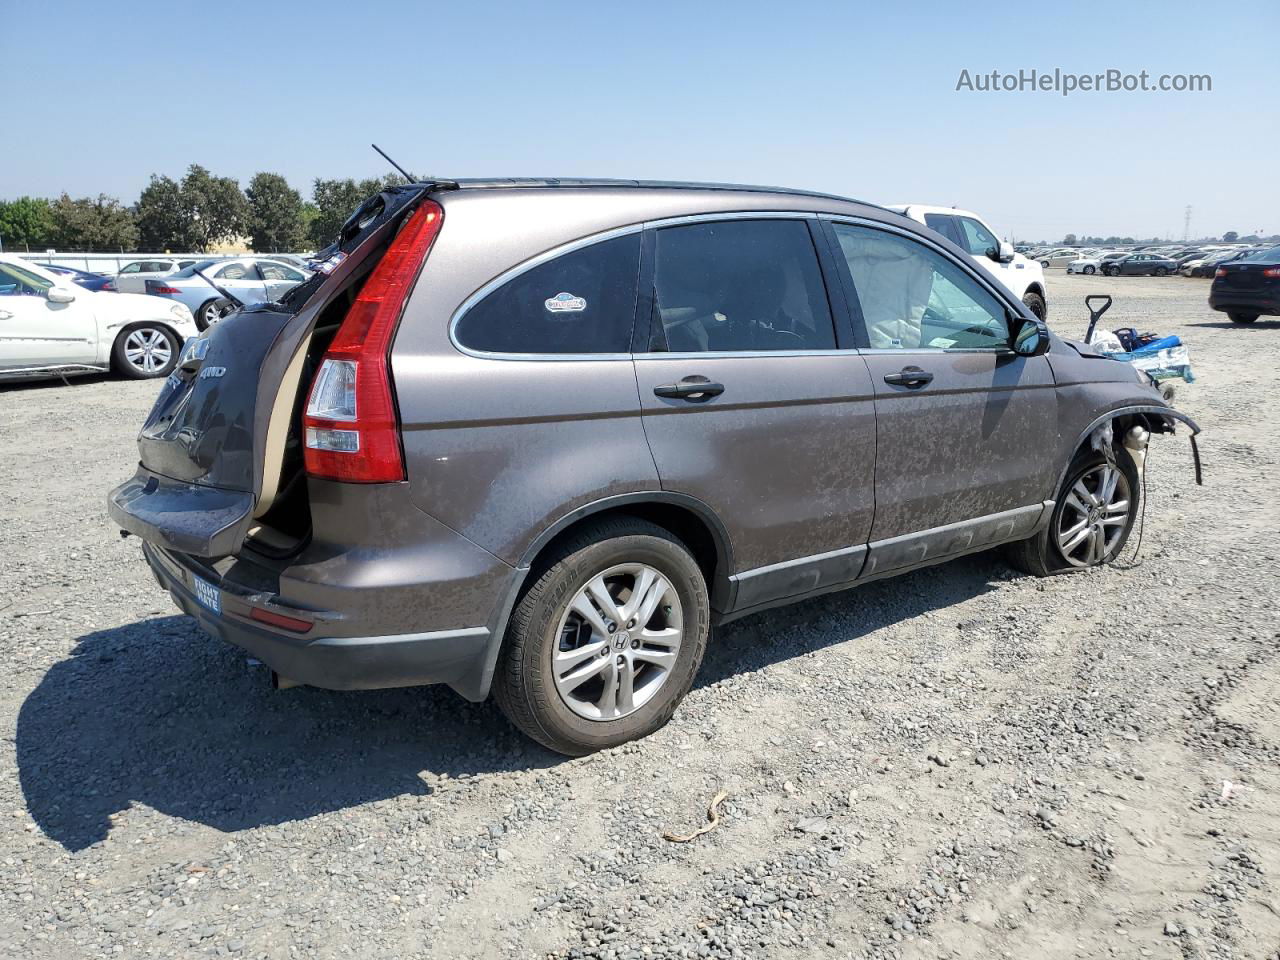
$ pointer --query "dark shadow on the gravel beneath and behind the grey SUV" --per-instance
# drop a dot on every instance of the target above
(161, 715)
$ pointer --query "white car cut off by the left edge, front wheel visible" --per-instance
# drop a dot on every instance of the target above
(49, 327)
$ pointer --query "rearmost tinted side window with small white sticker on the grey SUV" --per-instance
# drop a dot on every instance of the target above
(579, 303)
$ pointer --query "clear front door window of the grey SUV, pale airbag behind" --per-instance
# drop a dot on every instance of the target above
(913, 298)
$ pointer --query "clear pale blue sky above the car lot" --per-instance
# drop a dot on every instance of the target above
(856, 99)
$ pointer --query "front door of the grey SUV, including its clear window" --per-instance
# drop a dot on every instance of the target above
(964, 424)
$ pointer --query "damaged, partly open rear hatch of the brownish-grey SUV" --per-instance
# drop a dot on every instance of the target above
(220, 452)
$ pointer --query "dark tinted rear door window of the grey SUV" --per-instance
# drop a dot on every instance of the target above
(739, 286)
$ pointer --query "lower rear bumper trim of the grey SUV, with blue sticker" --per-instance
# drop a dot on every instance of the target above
(454, 657)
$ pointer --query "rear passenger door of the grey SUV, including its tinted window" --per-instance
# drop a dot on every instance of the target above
(749, 404)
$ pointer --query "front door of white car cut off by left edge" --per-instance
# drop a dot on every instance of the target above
(36, 332)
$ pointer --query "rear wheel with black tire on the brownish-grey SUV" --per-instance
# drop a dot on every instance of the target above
(606, 643)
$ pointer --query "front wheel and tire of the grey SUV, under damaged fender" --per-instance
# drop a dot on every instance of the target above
(1091, 522)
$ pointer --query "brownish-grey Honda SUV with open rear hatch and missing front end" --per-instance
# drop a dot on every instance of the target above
(537, 437)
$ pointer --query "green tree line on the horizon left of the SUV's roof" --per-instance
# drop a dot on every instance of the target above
(193, 214)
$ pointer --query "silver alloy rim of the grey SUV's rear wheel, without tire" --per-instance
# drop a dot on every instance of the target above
(619, 642)
